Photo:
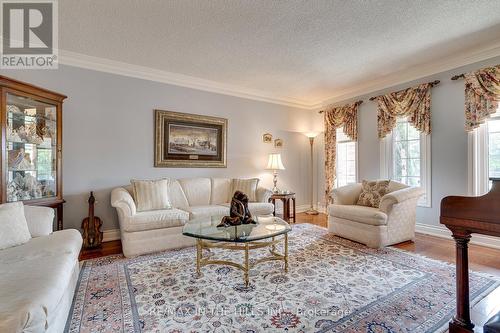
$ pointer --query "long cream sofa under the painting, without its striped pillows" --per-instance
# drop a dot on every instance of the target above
(151, 231)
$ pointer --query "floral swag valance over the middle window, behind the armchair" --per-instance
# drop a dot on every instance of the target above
(414, 103)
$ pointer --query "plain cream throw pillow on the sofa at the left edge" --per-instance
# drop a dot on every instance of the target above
(13, 225)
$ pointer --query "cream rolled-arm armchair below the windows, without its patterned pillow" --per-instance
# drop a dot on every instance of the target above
(392, 223)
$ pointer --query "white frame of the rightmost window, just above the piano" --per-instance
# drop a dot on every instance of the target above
(478, 158)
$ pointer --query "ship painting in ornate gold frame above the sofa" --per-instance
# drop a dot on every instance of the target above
(184, 140)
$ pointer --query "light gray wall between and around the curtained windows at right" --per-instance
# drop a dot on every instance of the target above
(448, 139)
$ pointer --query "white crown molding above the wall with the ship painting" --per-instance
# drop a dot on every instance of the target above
(147, 73)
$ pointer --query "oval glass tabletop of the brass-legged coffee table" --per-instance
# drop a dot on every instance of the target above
(206, 228)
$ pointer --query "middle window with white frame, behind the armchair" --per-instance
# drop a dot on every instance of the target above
(405, 158)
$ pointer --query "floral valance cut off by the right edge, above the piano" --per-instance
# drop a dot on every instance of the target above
(482, 94)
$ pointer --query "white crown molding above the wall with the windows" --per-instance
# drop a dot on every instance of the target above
(468, 57)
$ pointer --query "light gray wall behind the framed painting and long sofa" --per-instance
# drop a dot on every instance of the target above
(108, 131)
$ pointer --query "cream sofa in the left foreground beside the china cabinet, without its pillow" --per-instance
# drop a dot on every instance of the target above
(38, 279)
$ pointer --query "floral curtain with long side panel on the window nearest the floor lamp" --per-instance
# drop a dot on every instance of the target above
(345, 116)
